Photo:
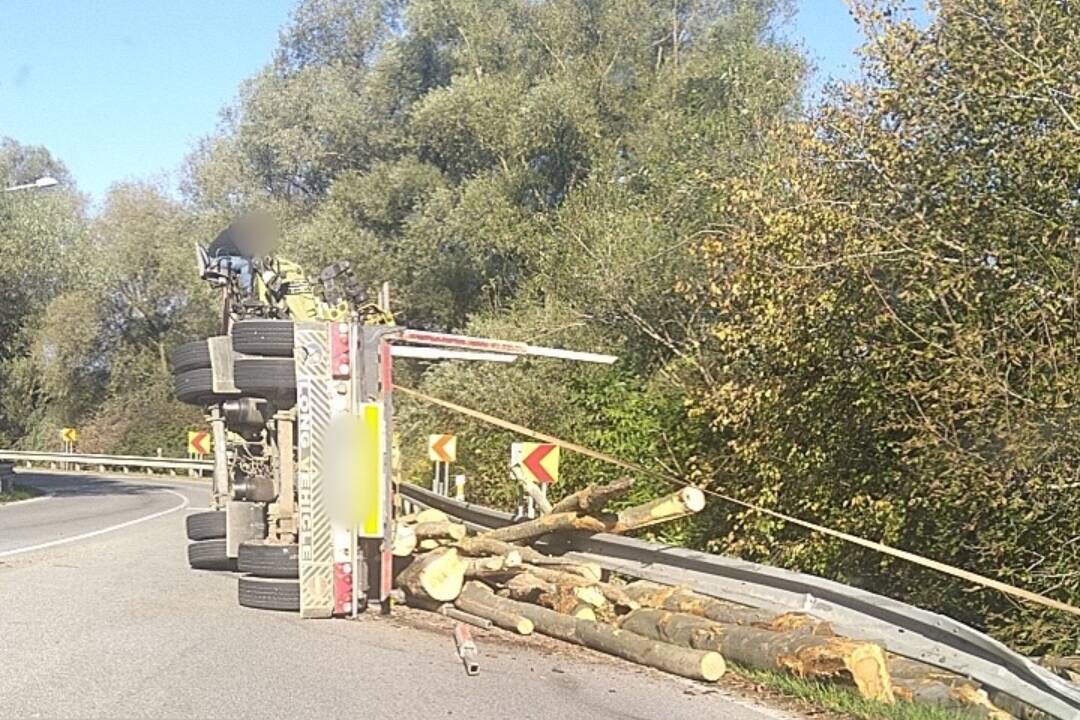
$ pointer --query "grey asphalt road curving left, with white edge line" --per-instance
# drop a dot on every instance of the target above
(101, 618)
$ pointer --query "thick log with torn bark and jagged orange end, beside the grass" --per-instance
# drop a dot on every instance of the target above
(863, 664)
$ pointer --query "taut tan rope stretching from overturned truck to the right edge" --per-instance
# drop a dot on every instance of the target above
(882, 548)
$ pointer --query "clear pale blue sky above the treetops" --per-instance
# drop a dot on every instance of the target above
(123, 89)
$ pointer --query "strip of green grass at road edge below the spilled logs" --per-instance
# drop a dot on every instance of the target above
(841, 700)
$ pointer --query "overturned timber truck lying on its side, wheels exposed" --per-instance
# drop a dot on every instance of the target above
(299, 395)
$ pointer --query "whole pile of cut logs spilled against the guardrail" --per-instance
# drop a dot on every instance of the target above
(498, 577)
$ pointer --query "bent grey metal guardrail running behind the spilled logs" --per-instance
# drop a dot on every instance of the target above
(900, 628)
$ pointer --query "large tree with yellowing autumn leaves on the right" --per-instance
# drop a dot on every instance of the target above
(894, 318)
